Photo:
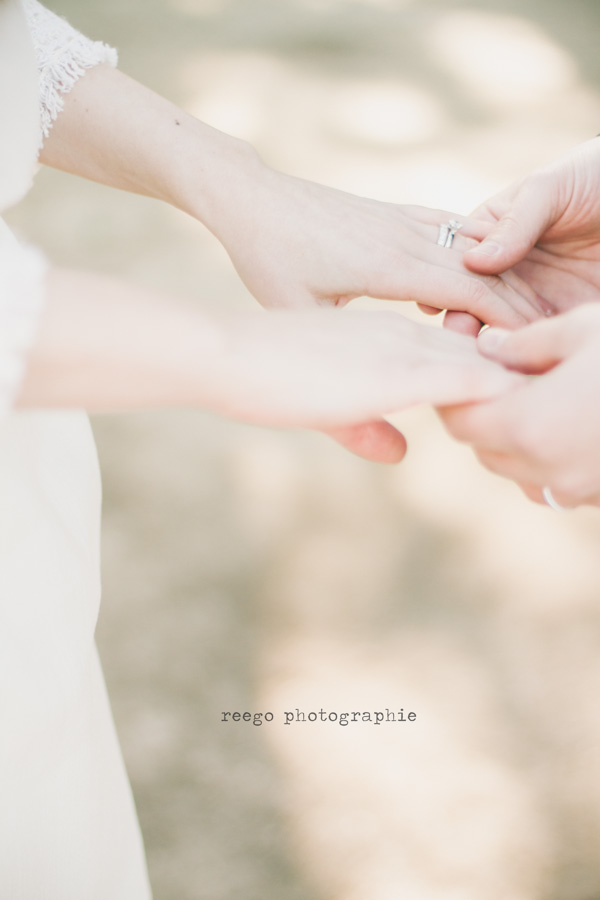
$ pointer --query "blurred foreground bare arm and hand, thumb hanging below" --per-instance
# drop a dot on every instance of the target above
(104, 345)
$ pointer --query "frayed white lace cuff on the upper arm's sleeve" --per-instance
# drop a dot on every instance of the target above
(63, 54)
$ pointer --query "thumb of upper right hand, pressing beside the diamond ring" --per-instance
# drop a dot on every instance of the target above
(529, 215)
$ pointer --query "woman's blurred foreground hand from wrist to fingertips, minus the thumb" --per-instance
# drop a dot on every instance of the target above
(322, 369)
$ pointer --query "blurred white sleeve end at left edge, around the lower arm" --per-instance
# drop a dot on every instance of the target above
(22, 293)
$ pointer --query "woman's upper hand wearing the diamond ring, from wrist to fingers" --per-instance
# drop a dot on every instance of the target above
(296, 244)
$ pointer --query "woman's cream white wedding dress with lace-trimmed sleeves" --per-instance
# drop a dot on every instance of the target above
(68, 827)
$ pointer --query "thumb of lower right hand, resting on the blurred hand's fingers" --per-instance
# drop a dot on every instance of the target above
(534, 349)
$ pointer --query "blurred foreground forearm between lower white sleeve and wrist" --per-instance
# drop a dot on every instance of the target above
(106, 346)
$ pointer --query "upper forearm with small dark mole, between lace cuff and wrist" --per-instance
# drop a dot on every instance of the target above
(117, 132)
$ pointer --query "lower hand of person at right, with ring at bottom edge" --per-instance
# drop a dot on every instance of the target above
(545, 432)
